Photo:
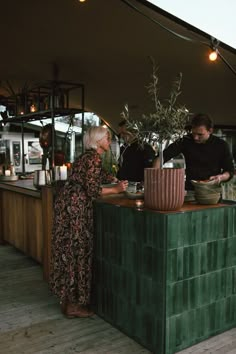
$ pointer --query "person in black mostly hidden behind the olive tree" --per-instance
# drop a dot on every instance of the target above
(134, 157)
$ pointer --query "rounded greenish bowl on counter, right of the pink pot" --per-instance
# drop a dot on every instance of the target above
(207, 192)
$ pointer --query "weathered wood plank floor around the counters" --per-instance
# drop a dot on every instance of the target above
(31, 321)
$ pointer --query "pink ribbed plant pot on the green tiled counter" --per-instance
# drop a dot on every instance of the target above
(164, 188)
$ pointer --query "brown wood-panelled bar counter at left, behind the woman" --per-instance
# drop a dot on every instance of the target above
(26, 219)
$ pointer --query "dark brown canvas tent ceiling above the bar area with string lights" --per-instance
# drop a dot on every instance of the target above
(106, 45)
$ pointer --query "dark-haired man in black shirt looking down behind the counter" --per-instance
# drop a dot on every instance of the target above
(206, 155)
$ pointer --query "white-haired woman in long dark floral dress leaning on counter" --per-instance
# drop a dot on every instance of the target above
(72, 233)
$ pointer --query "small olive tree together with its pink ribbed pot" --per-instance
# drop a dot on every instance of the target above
(163, 187)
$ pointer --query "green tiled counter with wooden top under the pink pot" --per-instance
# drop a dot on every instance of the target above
(168, 280)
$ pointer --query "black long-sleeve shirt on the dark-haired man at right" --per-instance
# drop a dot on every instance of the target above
(202, 160)
